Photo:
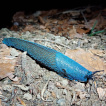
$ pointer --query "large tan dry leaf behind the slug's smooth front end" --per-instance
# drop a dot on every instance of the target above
(87, 59)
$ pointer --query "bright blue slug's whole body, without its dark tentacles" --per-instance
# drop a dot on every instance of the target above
(52, 59)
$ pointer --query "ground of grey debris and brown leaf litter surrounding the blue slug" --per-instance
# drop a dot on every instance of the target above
(60, 30)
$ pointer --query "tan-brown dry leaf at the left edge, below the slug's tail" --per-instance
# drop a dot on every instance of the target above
(7, 63)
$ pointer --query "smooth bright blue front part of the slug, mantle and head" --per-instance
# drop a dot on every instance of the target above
(72, 70)
